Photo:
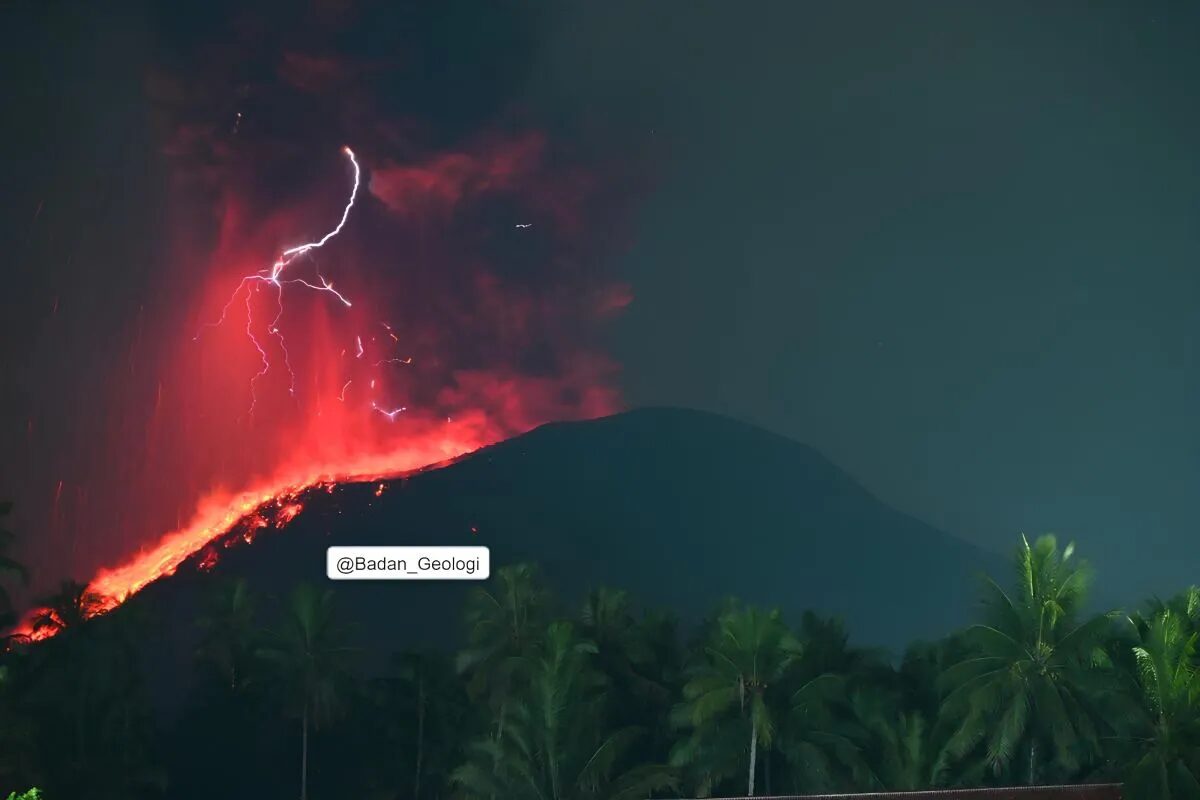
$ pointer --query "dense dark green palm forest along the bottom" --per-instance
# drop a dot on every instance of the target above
(603, 702)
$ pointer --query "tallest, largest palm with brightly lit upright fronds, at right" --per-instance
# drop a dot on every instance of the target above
(1025, 684)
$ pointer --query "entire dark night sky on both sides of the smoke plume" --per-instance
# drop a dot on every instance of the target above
(953, 246)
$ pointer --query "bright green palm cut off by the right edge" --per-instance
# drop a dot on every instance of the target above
(1166, 733)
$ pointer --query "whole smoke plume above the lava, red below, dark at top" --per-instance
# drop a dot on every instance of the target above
(472, 258)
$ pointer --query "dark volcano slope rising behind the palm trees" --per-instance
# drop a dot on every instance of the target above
(680, 508)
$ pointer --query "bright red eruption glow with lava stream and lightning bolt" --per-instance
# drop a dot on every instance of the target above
(310, 388)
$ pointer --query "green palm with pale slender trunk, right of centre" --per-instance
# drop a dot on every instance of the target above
(735, 687)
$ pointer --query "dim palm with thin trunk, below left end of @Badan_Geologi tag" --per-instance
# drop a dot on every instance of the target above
(310, 654)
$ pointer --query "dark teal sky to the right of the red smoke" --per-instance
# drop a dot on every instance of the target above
(956, 246)
